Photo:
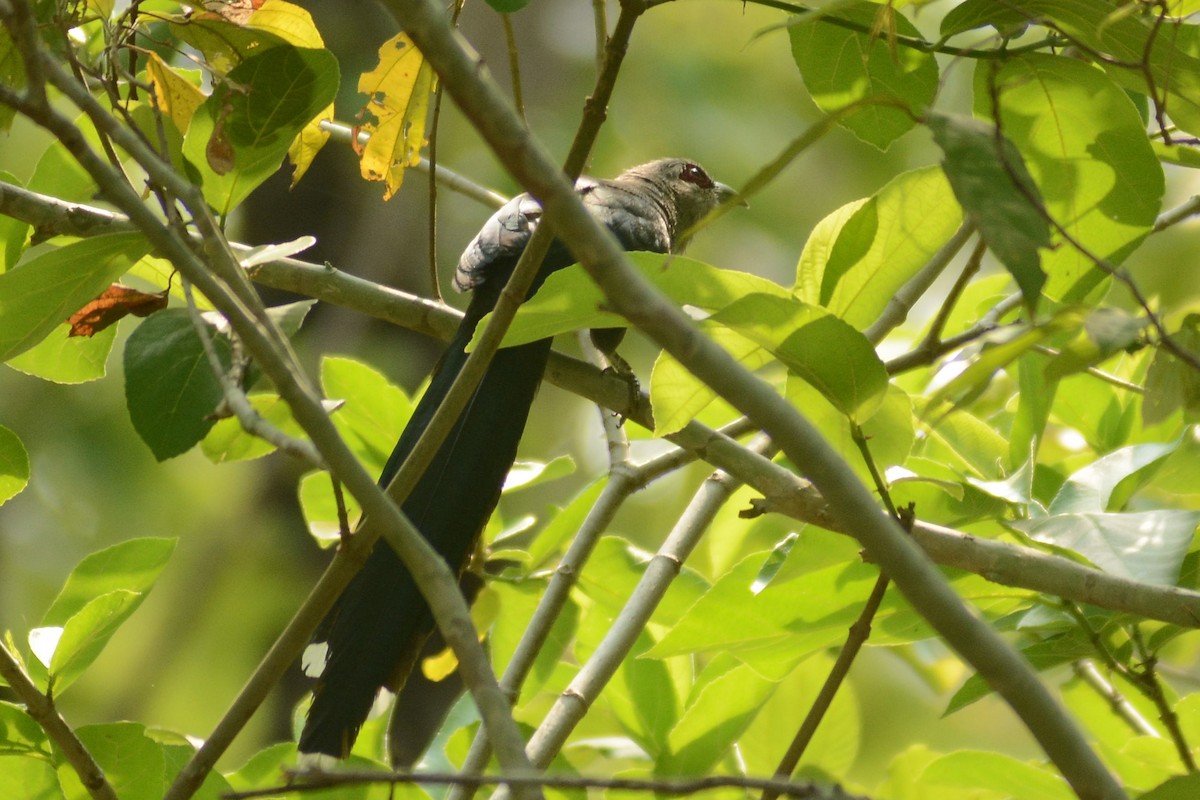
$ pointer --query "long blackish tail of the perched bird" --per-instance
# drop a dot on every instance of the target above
(376, 630)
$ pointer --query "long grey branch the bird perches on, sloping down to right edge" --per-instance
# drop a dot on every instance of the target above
(785, 494)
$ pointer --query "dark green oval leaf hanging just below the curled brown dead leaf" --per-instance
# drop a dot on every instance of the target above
(170, 387)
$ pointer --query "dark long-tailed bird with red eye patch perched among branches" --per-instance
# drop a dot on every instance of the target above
(373, 636)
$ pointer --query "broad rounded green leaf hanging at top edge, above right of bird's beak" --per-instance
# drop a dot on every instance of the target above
(843, 67)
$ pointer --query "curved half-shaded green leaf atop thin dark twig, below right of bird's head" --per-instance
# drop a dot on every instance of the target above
(824, 351)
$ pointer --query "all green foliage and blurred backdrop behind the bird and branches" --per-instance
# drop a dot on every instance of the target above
(1063, 425)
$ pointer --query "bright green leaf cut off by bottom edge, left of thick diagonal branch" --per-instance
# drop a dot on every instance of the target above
(971, 772)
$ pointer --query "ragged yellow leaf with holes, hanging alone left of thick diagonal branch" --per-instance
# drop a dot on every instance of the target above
(398, 103)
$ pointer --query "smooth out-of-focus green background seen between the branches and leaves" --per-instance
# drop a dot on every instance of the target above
(700, 82)
